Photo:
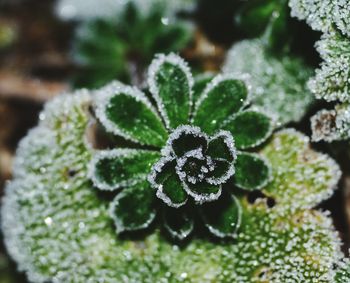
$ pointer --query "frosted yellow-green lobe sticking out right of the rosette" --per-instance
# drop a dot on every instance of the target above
(301, 177)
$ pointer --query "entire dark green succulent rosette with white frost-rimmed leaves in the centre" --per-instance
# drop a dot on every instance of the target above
(187, 159)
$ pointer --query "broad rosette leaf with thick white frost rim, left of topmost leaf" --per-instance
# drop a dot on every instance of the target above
(126, 112)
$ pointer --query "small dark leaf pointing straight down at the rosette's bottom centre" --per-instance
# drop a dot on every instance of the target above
(178, 222)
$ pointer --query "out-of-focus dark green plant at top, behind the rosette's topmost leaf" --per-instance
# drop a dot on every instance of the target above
(120, 47)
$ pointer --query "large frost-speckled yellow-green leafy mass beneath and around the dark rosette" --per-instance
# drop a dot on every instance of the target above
(289, 242)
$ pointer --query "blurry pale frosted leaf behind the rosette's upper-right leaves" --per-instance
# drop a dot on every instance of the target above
(278, 84)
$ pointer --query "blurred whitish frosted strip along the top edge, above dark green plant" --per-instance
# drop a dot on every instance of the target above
(85, 10)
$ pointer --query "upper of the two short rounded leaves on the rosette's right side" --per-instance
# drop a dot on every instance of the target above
(249, 128)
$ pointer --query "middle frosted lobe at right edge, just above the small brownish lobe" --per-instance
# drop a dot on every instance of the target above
(332, 80)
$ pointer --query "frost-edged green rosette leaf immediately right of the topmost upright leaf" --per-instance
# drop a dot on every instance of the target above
(224, 97)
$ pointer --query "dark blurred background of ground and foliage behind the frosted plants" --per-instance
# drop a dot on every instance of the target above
(50, 47)
